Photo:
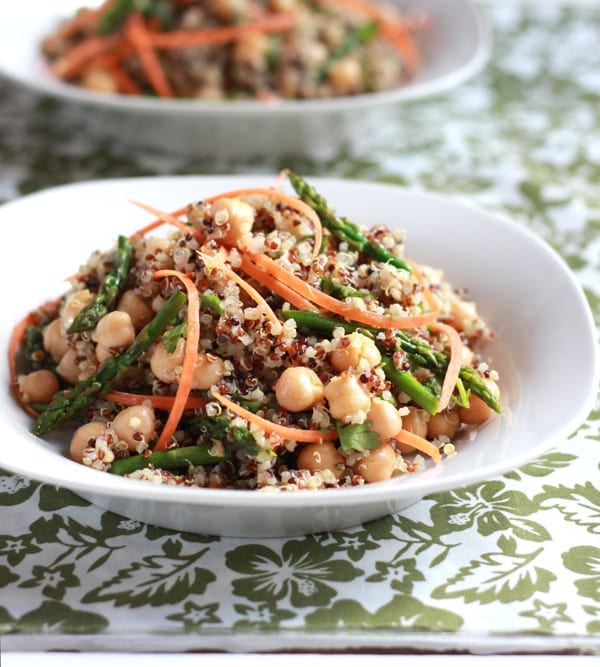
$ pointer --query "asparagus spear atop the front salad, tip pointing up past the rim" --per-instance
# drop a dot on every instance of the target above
(342, 228)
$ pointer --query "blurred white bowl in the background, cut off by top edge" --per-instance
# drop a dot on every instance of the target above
(455, 45)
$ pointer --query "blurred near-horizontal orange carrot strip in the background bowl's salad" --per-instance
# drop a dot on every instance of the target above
(209, 36)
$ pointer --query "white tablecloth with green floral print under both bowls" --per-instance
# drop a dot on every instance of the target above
(510, 564)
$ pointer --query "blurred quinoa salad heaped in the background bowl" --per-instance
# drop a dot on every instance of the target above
(236, 49)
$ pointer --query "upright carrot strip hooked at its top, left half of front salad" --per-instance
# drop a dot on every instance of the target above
(190, 356)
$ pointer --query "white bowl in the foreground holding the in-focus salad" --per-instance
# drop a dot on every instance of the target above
(521, 285)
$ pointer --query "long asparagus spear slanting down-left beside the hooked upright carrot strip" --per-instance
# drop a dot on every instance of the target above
(68, 404)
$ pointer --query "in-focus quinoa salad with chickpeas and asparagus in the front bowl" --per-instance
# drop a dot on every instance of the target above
(257, 340)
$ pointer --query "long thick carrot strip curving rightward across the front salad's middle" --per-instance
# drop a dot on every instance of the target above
(339, 307)
